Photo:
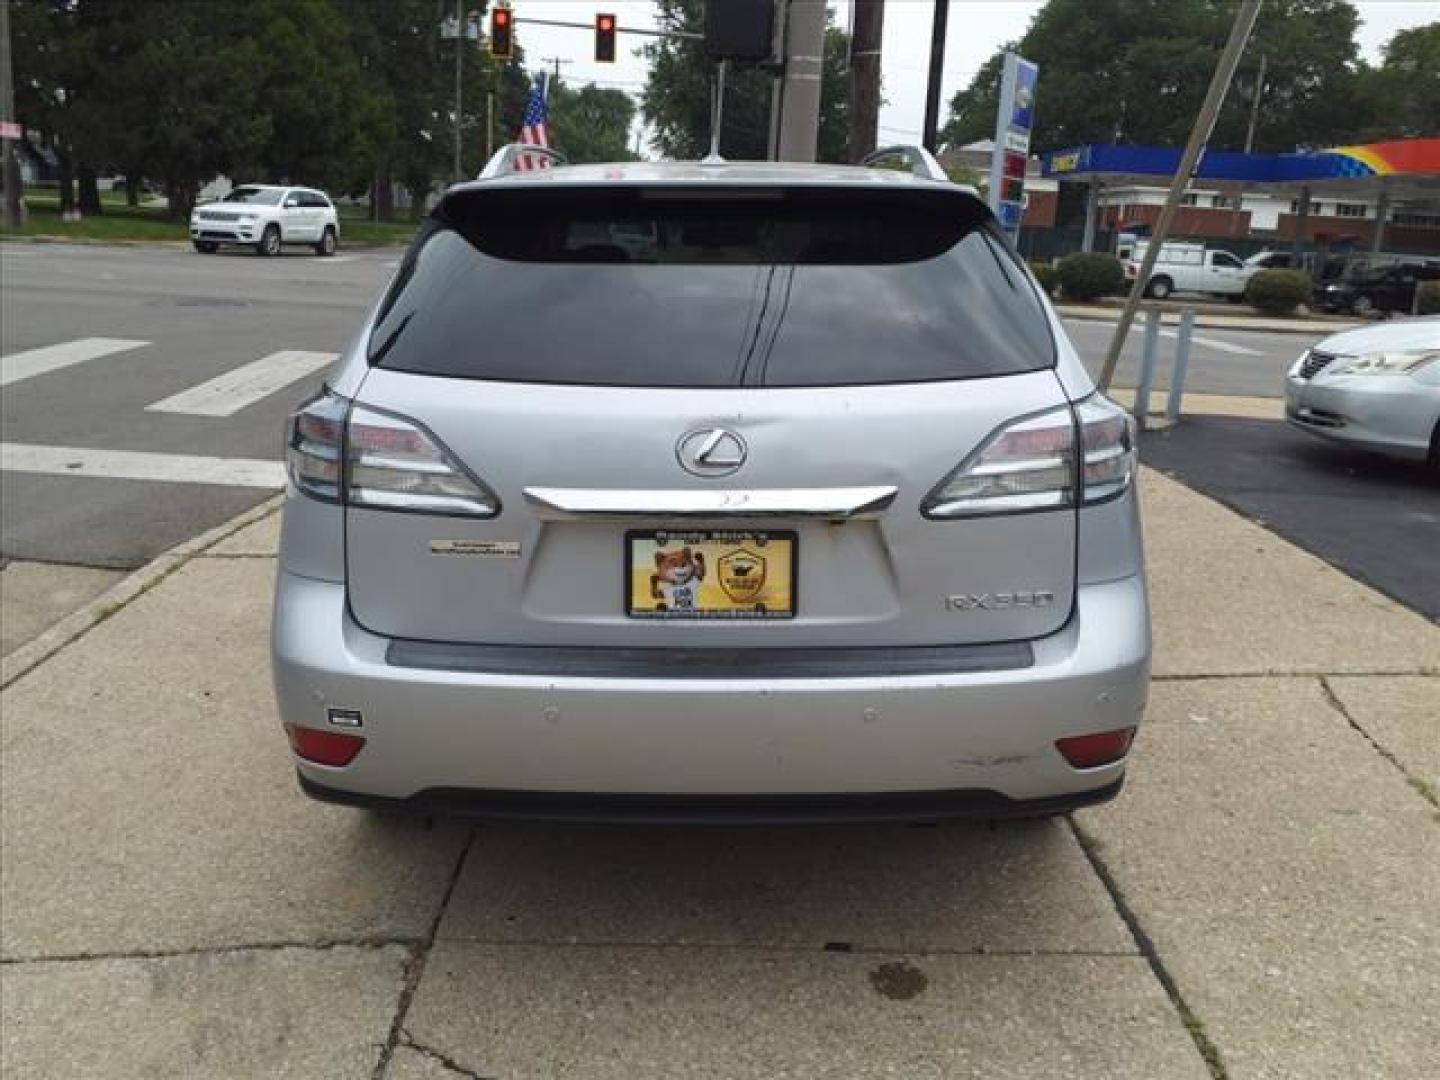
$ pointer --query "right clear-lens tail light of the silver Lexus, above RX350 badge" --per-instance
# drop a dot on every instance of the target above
(1050, 462)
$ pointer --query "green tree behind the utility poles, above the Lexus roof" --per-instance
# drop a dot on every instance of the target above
(678, 96)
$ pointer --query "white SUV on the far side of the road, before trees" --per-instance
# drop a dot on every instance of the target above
(267, 217)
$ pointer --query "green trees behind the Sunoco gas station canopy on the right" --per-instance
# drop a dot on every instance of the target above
(1137, 71)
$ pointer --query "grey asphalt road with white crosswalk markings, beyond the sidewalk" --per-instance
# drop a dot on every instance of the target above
(174, 322)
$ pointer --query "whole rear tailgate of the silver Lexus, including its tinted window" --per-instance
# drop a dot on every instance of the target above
(853, 348)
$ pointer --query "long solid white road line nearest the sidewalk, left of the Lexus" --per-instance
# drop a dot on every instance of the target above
(172, 469)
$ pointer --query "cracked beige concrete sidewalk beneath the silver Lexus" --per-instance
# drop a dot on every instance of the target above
(1261, 902)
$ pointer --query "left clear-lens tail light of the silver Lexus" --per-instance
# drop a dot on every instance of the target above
(356, 456)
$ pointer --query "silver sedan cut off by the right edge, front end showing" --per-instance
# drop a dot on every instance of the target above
(1377, 388)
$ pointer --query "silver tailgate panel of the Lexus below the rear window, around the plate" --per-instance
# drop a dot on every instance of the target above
(539, 577)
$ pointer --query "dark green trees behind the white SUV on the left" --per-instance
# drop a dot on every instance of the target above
(351, 96)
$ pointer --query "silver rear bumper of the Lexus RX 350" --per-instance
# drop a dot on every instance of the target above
(905, 744)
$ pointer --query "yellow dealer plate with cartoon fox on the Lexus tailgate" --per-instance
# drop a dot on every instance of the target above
(711, 574)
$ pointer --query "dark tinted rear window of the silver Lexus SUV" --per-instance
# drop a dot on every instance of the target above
(712, 289)
